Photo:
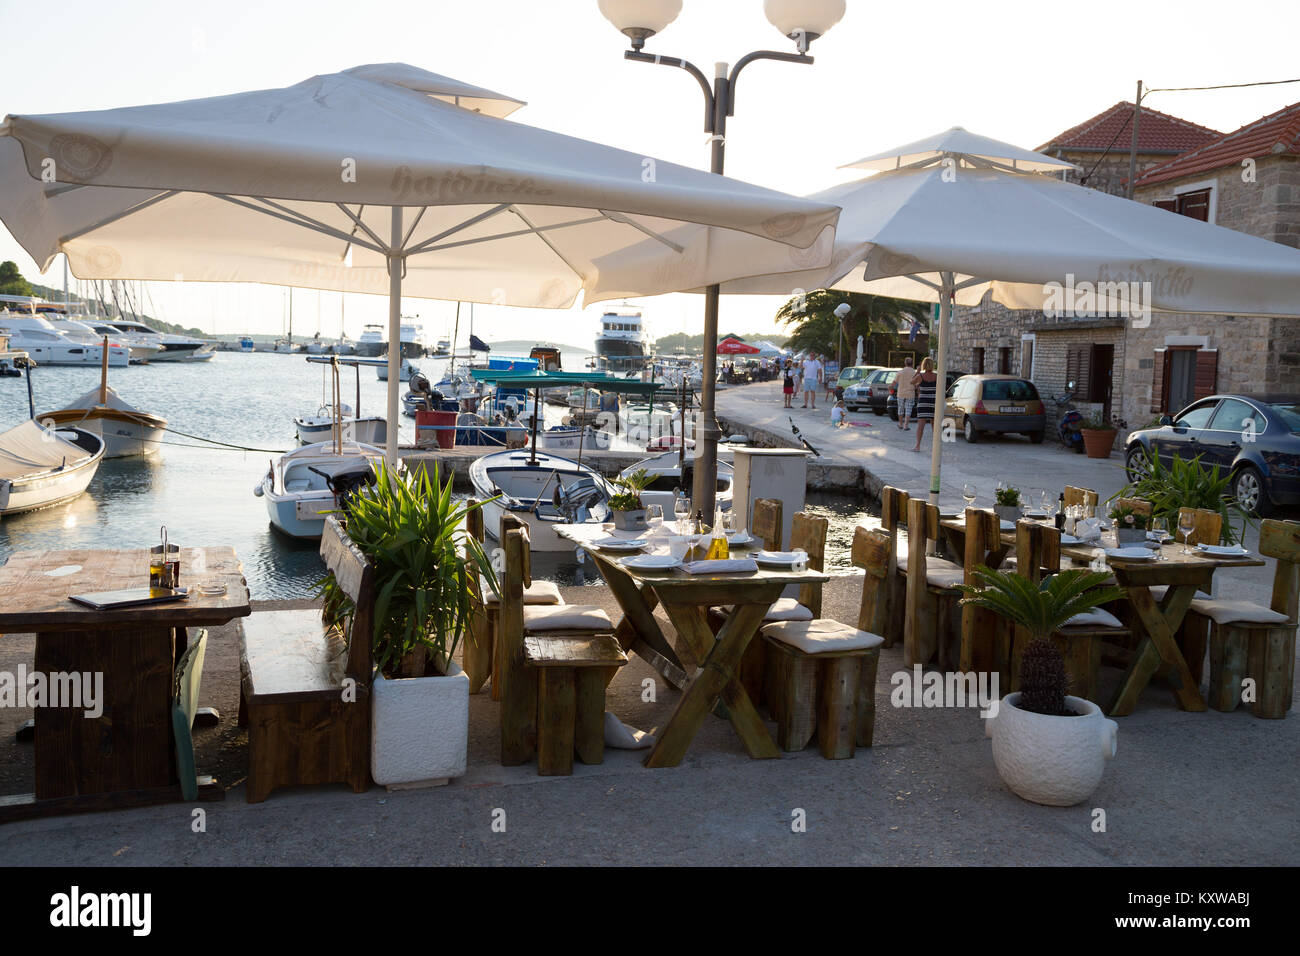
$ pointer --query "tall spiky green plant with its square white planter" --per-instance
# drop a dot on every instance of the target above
(414, 535)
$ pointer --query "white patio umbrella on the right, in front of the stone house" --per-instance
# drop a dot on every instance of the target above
(957, 217)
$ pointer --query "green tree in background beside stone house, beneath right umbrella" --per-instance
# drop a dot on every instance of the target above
(817, 328)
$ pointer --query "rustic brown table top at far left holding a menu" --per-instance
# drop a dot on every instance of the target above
(36, 587)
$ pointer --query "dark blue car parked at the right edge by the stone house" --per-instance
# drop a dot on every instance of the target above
(1254, 438)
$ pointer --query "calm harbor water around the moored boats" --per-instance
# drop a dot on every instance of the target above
(203, 494)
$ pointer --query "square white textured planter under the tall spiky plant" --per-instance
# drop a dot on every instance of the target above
(419, 730)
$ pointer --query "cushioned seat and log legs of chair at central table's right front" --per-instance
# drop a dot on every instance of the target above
(822, 678)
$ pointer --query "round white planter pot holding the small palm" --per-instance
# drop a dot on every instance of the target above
(1052, 760)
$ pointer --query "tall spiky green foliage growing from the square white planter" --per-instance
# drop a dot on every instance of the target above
(414, 534)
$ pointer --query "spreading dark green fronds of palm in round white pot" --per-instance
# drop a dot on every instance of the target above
(1045, 608)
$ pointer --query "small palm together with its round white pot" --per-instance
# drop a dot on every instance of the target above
(1048, 747)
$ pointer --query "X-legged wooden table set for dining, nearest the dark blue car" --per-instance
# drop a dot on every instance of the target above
(1182, 577)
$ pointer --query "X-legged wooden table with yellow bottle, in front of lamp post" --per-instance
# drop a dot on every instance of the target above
(687, 599)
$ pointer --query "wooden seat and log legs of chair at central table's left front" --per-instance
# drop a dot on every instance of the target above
(571, 677)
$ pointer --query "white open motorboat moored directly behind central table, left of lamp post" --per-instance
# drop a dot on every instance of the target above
(543, 491)
